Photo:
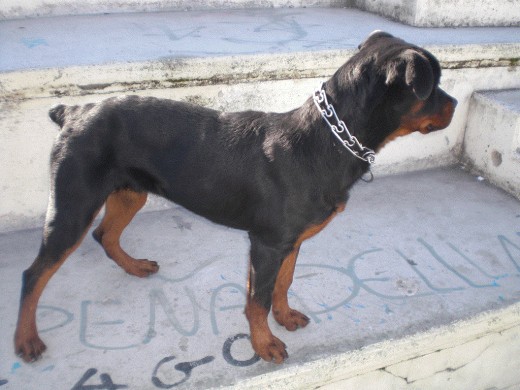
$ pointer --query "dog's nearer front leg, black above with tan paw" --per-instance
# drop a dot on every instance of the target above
(264, 266)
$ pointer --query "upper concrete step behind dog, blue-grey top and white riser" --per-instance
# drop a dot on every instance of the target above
(229, 60)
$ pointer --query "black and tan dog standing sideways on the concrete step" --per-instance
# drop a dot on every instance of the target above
(279, 176)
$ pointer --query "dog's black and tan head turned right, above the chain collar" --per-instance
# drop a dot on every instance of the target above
(397, 85)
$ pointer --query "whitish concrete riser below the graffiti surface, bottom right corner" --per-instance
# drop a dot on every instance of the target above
(479, 353)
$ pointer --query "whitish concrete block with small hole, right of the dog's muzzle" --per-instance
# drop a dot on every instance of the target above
(492, 138)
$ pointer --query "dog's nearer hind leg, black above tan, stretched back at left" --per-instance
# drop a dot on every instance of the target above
(64, 230)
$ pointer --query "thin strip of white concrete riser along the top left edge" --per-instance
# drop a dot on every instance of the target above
(14, 9)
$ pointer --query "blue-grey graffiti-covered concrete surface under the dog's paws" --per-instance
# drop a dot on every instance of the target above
(410, 253)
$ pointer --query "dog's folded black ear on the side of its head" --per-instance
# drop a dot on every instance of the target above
(415, 69)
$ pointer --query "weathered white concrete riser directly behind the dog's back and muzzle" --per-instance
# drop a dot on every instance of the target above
(263, 82)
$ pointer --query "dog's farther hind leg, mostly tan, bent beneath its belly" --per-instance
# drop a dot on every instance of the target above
(121, 207)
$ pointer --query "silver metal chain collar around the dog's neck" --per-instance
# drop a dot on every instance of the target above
(339, 128)
